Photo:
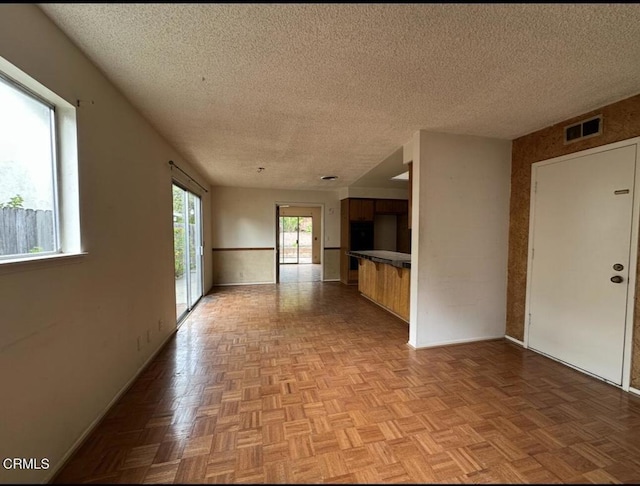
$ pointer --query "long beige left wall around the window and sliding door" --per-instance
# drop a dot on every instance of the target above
(68, 332)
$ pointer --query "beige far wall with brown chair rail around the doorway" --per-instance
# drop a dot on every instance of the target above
(245, 218)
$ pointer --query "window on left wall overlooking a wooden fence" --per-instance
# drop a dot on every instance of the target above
(39, 213)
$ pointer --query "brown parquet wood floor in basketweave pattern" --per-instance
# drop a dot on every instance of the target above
(312, 383)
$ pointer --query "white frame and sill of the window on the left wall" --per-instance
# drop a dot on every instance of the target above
(66, 186)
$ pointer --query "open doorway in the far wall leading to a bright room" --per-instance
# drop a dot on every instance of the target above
(298, 244)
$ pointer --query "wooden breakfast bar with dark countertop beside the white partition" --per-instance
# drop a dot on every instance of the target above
(384, 278)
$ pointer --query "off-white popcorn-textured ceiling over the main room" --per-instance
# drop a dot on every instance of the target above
(307, 90)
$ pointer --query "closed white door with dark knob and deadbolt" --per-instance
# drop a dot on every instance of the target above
(580, 260)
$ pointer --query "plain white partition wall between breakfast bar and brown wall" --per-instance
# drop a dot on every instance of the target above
(460, 226)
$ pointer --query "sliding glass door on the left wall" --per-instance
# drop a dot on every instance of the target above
(187, 248)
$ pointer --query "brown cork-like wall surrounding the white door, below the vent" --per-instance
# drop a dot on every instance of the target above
(621, 121)
